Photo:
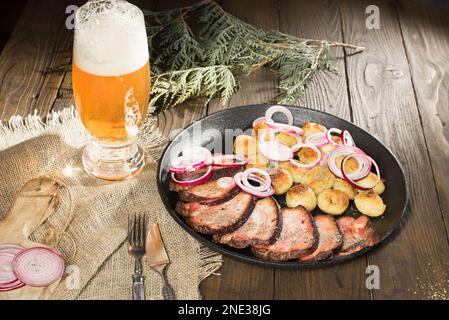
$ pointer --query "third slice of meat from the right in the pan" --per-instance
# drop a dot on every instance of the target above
(298, 237)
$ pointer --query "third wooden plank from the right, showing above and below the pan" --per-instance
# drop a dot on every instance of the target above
(320, 19)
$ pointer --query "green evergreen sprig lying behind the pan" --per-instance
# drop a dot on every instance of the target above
(211, 61)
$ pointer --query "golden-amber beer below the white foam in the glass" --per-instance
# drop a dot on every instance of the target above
(105, 102)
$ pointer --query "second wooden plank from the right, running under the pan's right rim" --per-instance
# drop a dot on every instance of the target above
(414, 264)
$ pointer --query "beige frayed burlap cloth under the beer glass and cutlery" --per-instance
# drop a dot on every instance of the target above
(91, 224)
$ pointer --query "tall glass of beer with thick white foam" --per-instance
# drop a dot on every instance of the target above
(111, 85)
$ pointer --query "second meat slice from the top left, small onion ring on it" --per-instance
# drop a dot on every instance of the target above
(212, 192)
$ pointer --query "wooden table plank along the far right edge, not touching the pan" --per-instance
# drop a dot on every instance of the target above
(427, 45)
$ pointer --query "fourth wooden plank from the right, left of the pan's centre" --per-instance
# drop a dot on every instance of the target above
(239, 280)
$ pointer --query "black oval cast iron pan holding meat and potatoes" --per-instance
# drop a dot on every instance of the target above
(223, 125)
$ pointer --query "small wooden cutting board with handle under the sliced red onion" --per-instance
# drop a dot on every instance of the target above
(36, 201)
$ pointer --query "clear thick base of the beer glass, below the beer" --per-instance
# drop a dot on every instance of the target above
(113, 161)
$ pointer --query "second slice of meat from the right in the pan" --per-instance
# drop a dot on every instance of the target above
(329, 239)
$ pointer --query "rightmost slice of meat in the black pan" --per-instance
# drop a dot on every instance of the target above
(357, 234)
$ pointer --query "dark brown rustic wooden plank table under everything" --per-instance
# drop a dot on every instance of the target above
(398, 89)
